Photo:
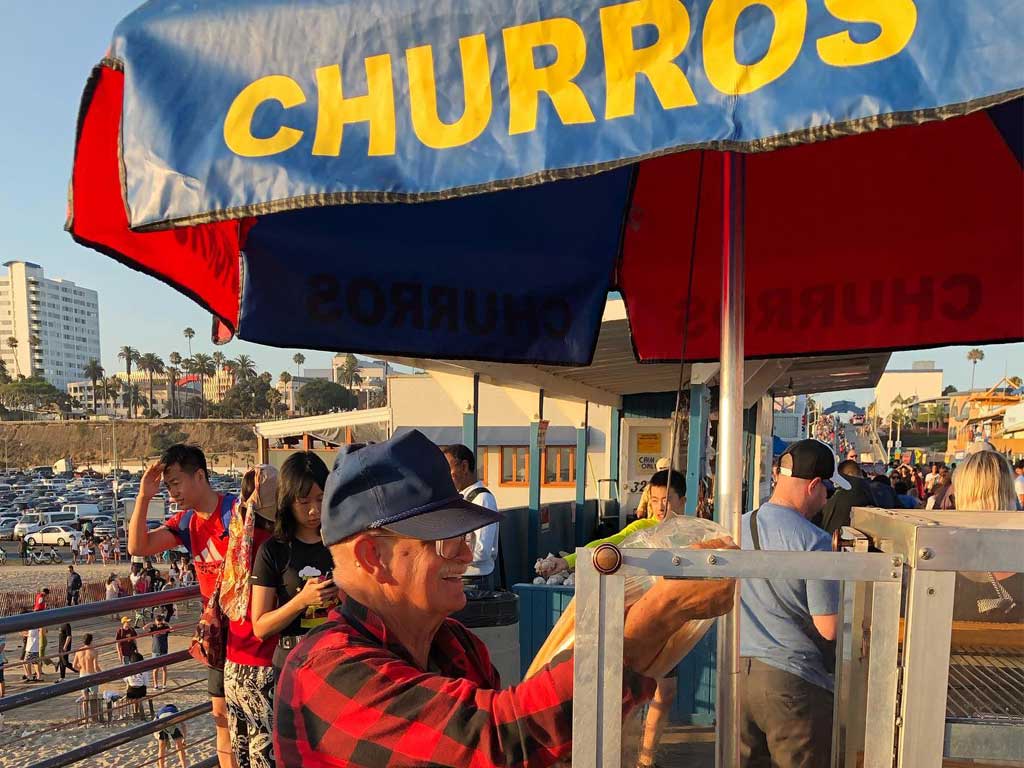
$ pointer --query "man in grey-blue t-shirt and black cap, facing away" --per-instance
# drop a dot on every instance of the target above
(786, 687)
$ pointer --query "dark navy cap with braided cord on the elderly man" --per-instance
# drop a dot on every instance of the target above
(403, 485)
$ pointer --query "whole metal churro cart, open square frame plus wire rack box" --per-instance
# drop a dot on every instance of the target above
(902, 699)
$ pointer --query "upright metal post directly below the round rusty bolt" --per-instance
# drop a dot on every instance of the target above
(598, 685)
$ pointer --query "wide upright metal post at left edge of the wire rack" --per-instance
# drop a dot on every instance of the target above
(926, 668)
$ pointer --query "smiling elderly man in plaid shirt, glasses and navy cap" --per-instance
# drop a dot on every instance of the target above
(390, 680)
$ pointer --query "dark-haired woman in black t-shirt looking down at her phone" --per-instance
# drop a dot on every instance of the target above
(293, 589)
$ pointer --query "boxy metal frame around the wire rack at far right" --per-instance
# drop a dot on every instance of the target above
(935, 546)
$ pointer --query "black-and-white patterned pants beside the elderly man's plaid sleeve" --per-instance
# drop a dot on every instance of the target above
(249, 693)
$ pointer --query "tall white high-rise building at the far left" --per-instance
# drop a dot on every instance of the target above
(55, 323)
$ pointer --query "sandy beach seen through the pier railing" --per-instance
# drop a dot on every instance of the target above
(39, 732)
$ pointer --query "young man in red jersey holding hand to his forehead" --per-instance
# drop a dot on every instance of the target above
(201, 528)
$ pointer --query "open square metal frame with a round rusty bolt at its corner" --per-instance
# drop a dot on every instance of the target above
(601, 605)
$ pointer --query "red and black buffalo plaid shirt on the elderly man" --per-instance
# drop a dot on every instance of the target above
(350, 696)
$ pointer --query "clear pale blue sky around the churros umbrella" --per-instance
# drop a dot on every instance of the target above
(48, 49)
